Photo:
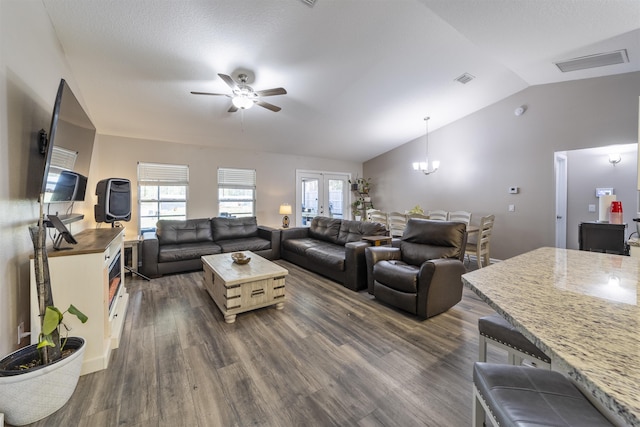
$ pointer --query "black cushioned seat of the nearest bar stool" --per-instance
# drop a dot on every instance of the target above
(524, 396)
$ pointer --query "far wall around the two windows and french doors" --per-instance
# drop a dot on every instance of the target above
(118, 157)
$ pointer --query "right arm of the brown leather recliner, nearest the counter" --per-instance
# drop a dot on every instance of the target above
(439, 286)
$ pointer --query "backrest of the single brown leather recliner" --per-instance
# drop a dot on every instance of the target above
(423, 240)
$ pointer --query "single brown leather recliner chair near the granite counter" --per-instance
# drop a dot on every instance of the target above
(422, 273)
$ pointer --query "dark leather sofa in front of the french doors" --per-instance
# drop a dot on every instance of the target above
(331, 247)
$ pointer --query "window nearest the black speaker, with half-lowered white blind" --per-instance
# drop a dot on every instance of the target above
(162, 191)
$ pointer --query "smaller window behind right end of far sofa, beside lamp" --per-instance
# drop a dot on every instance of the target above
(236, 192)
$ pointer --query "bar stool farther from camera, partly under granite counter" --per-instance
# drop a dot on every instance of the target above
(495, 330)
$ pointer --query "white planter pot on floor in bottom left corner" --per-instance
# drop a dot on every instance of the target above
(28, 397)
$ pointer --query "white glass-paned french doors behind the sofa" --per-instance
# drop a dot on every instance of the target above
(321, 194)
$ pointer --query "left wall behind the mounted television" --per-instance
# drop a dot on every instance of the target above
(31, 66)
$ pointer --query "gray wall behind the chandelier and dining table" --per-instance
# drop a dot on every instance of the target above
(485, 153)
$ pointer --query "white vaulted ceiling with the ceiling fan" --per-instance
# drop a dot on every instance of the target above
(360, 74)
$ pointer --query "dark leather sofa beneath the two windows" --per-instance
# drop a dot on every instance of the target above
(176, 246)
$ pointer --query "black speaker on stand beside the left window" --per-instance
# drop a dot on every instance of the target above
(114, 200)
